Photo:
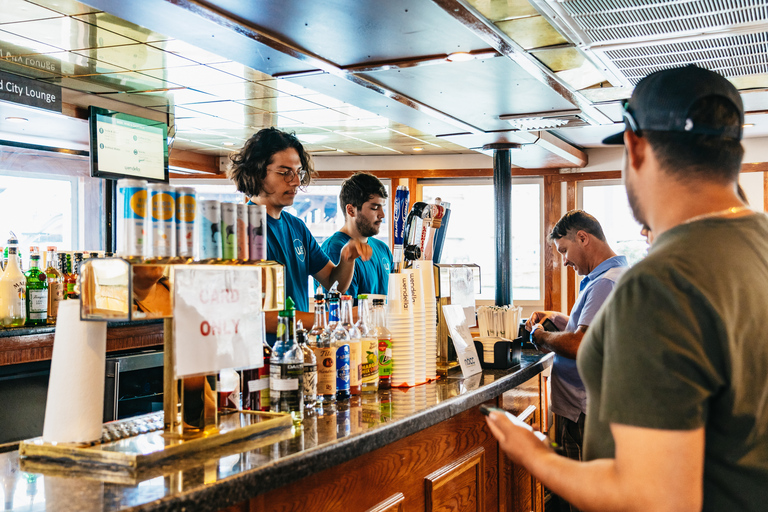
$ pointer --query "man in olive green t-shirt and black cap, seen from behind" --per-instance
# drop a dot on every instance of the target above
(676, 364)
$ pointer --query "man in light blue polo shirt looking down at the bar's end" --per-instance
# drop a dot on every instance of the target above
(579, 238)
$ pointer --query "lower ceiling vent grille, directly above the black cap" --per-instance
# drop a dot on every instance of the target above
(739, 55)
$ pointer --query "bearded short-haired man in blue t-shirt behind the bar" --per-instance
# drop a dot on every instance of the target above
(363, 199)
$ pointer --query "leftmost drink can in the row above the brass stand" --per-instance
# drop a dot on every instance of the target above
(131, 217)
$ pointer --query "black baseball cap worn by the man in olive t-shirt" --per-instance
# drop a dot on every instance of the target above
(662, 102)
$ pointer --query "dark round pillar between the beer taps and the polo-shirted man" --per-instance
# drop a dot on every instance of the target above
(502, 200)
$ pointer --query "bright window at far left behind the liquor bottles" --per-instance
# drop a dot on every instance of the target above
(61, 207)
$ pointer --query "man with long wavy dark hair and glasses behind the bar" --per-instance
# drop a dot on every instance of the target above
(269, 169)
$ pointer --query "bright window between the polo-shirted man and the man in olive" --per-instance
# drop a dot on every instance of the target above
(607, 201)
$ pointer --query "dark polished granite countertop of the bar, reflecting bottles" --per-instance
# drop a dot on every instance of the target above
(213, 481)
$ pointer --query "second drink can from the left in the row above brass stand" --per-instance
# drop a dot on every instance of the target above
(161, 232)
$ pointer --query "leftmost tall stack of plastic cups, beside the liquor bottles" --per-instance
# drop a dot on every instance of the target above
(400, 324)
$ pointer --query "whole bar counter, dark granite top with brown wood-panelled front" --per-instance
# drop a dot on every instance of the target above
(330, 446)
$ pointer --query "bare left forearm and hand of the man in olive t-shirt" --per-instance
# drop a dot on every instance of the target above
(658, 470)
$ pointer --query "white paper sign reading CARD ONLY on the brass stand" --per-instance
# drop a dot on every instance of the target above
(217, 320)
